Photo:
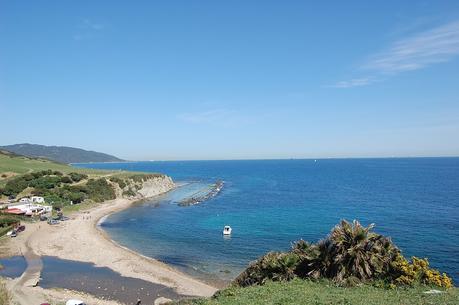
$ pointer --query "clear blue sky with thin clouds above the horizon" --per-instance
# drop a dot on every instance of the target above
(232, 79)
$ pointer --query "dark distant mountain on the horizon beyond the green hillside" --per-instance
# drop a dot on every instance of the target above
(60, 154)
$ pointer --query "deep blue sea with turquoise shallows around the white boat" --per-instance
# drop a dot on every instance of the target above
(271, 203)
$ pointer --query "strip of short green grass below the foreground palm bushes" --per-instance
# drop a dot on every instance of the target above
(301, 292)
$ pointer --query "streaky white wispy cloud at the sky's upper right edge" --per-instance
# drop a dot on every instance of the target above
(418, 51)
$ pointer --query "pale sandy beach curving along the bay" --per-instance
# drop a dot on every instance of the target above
(80, 239)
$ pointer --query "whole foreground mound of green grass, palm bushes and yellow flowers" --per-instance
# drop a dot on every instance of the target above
(352, 265)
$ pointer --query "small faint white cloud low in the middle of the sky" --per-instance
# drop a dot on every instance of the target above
(220, 117)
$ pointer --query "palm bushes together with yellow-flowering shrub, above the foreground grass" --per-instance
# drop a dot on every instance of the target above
(351, 254)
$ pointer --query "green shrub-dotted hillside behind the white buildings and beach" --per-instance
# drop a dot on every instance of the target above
(62, 184)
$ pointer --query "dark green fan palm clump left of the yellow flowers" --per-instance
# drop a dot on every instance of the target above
(351, 253)
